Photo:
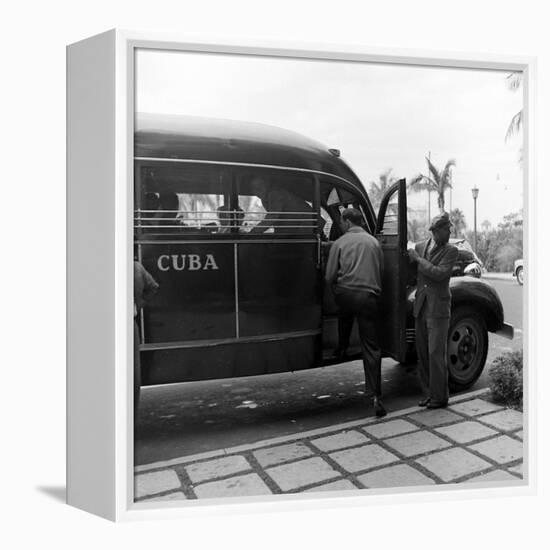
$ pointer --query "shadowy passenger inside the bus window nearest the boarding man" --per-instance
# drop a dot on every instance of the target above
(286, 212)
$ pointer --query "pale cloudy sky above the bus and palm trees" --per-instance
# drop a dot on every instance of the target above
(378, 116)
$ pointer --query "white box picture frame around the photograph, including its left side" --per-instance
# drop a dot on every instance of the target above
(100, 132)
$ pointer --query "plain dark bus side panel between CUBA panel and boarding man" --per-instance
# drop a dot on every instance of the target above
(279, 288)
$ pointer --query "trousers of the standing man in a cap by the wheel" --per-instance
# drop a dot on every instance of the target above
(431, 347)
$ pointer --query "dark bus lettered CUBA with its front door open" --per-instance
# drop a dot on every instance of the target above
(235, 301)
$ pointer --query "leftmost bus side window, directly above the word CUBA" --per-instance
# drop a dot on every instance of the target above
(174, 200)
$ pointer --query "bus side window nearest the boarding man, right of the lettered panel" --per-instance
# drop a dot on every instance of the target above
(277, 202)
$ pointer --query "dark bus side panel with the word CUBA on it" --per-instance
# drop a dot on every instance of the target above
(196, 299)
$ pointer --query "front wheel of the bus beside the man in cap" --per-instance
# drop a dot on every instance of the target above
(467, 347)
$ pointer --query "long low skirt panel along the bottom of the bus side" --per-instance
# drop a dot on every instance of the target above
(229, 360)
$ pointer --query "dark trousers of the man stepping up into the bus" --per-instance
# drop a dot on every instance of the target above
(362, 306)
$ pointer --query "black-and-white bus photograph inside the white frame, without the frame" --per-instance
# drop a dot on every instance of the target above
(328, 276)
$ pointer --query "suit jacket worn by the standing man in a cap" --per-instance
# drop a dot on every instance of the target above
(434, 272)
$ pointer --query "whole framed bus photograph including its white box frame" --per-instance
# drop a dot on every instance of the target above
(294, 274)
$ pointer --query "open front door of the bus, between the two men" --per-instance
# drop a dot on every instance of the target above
(391, 232)
